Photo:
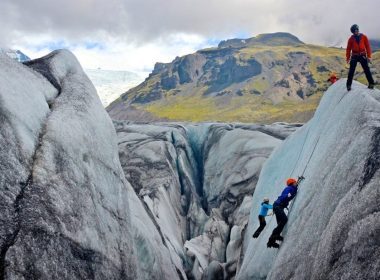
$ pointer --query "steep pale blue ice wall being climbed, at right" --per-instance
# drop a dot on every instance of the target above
(334, 224)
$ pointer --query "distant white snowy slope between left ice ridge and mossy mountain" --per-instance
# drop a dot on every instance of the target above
(110, 83)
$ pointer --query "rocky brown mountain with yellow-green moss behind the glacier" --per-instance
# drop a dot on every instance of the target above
(271, 77)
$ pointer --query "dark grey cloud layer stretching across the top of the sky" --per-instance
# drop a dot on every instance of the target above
(141, 21)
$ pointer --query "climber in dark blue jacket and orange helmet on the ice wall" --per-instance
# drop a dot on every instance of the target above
(279, 206)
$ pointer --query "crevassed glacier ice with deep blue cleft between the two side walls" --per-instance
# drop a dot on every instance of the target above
(195, 182)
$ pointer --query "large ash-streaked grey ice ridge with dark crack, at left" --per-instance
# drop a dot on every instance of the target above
(65, 212)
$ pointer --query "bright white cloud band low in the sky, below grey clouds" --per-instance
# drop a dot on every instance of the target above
(117, 55)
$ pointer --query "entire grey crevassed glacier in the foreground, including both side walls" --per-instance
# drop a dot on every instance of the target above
(83, 197)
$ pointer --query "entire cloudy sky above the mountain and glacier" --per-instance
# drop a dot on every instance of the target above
(134, 34)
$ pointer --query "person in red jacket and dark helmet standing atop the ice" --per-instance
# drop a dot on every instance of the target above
(358, 50)
